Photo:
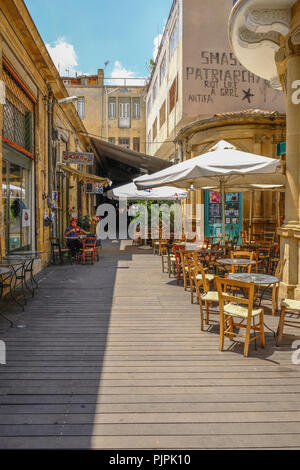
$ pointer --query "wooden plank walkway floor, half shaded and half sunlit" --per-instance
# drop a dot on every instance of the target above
(111, 356)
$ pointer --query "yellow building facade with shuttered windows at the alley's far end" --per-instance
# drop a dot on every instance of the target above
(115, 113)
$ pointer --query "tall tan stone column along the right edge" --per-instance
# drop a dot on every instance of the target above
(288, 64)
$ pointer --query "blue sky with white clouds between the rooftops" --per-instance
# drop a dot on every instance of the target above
(82, 35)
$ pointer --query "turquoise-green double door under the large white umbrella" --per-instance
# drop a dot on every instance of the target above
(213, 214)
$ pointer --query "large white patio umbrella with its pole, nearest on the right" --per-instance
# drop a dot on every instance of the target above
(223, 166)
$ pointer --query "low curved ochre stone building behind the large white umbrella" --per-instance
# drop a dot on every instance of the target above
(253, 131)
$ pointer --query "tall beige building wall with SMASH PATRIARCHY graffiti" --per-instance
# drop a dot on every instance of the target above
(210, 78)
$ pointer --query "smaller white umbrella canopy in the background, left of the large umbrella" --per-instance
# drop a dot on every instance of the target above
(130, 191)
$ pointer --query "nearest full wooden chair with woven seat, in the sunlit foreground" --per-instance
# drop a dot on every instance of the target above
(233, 306)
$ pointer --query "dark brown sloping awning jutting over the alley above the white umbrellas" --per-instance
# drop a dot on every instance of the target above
(136, 160)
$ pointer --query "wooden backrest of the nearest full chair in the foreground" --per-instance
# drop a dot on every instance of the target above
(228, 290)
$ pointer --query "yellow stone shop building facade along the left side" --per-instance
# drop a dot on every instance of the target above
(37, 196)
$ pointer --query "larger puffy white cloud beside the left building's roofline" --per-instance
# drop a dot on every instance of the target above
(64, 57)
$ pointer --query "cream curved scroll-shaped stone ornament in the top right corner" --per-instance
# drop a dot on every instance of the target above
(254, 30)
